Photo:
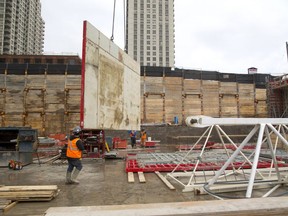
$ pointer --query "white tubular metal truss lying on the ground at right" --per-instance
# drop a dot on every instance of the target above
(229, 177)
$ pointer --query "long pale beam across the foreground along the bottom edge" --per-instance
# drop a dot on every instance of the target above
(275, 206)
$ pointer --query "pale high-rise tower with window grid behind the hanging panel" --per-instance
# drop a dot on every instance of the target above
(150, 32)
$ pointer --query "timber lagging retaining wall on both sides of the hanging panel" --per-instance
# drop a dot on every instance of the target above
(47, 96)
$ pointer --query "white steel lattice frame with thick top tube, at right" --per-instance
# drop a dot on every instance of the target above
(262, 125)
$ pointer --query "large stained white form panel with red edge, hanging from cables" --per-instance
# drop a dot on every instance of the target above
(110, 84)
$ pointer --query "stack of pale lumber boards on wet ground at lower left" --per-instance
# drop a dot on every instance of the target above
(29, 193)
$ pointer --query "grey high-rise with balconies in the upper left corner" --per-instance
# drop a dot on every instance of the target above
(21, 27)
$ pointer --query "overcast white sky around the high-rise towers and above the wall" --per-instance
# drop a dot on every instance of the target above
(228, 36)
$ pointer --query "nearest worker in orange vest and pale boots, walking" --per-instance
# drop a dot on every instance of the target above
(74, 154)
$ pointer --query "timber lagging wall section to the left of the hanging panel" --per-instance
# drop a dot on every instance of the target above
(47, 99)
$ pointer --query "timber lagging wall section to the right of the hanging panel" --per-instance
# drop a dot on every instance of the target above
(168, 95)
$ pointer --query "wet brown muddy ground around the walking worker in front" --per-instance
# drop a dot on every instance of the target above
(102, 182)
